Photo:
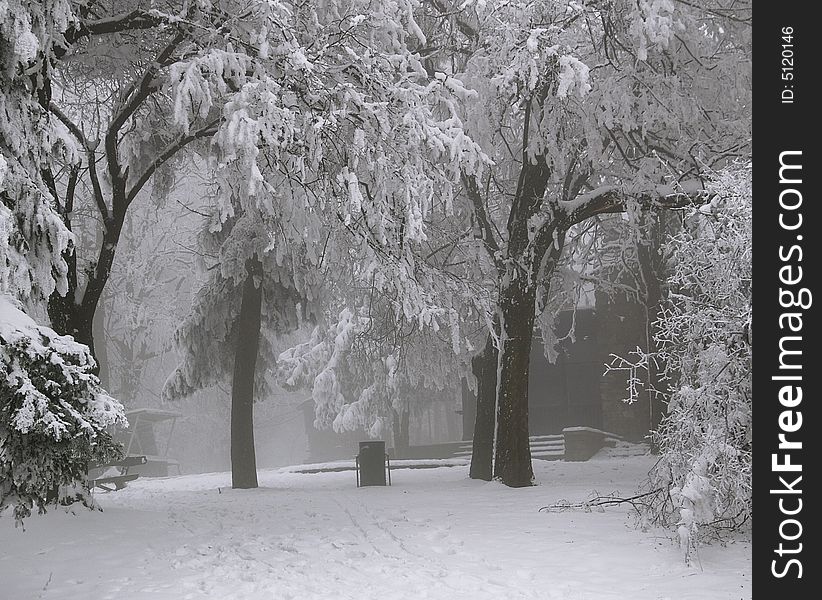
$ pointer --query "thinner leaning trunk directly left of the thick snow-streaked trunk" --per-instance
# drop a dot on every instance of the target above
(484, 366)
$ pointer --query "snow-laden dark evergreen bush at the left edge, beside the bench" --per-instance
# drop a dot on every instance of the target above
(53, 415)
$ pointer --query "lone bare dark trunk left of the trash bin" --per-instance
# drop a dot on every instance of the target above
(243, 457)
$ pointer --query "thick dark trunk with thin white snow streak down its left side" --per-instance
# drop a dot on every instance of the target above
(512, 464)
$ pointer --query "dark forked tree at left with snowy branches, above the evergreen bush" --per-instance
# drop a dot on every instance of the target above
(111, 83)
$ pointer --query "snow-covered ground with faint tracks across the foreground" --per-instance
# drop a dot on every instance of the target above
(434, 534)
